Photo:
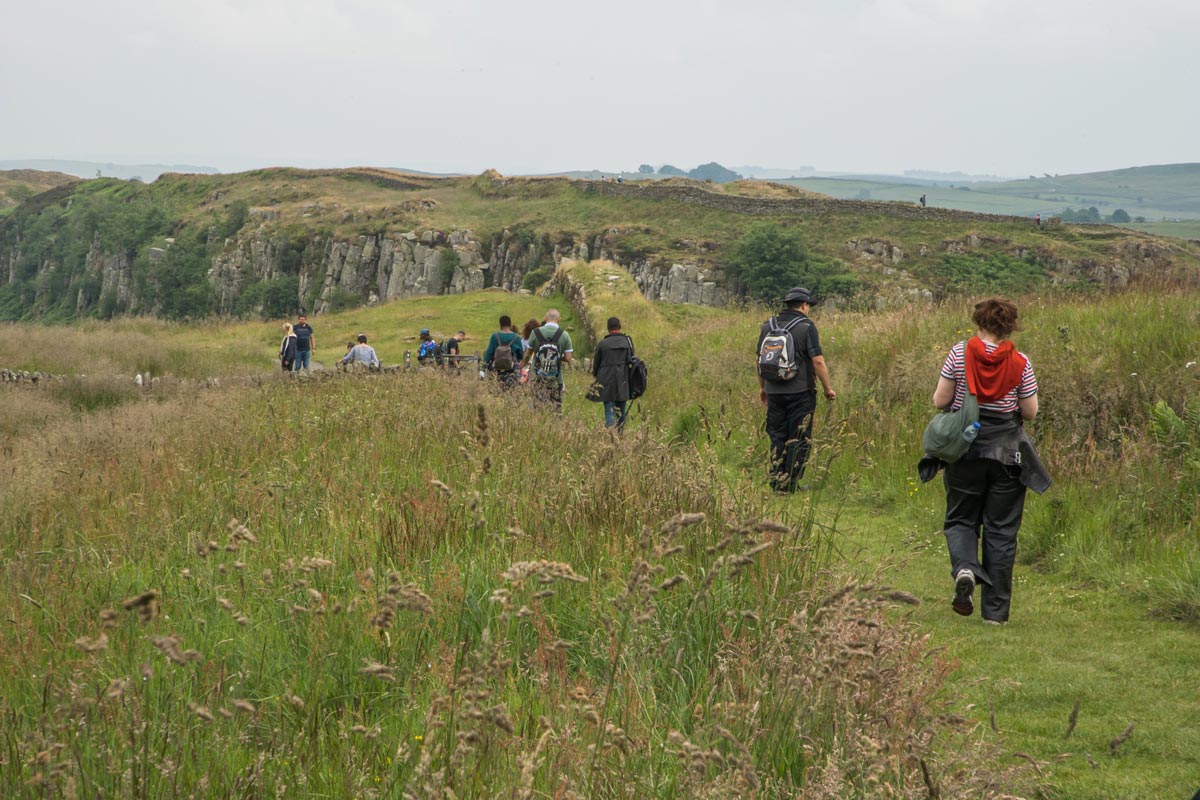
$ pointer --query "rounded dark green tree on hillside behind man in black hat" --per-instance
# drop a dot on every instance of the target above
(771, 260)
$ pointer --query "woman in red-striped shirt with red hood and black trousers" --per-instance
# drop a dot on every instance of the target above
(986, 489)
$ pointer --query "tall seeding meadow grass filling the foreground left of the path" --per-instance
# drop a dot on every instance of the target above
(435, 591)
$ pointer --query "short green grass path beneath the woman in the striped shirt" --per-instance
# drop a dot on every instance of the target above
(1064, 642)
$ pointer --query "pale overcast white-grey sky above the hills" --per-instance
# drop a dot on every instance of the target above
(997, 87)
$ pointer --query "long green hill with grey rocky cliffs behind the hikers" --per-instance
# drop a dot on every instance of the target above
(273, 240)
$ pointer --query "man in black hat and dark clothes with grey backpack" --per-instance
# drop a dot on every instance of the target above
(790, 394)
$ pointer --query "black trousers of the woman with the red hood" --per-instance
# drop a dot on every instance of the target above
(987, 498)
